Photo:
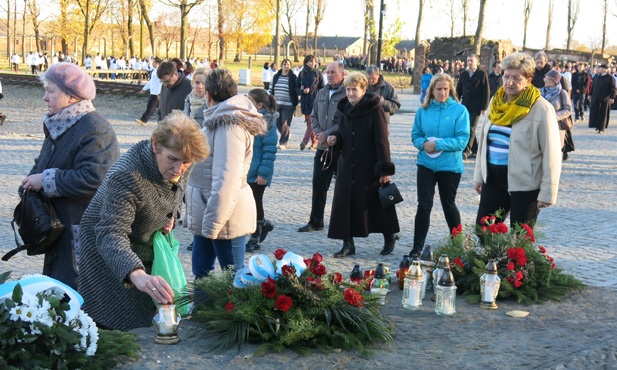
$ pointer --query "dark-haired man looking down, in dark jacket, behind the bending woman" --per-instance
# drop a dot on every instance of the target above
(175, 88)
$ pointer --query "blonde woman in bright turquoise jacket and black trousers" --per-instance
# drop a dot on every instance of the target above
(440, 132)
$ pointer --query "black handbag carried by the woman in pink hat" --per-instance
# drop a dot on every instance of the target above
(38, 225)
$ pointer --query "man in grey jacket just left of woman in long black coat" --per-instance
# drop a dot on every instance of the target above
(324, 121)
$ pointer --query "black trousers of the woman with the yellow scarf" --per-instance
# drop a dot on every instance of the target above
(521, 205)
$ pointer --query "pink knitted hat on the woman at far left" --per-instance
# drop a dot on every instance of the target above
(72, 80)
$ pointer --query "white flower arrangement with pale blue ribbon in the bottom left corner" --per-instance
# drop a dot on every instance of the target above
(43, 327)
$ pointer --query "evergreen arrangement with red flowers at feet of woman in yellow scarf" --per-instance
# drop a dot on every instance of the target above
(527, 273)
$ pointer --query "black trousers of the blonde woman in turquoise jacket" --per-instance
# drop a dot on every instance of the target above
(447, 183)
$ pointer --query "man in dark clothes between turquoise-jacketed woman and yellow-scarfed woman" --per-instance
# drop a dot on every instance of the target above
(474, 91)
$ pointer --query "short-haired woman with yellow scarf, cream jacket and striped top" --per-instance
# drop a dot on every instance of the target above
(519, 152)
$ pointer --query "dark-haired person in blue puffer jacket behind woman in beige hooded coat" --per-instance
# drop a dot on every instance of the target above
(262, 166)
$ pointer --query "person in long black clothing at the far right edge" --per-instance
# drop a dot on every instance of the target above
(602, 96)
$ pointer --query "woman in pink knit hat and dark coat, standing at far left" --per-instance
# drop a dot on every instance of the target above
(79, 147)
